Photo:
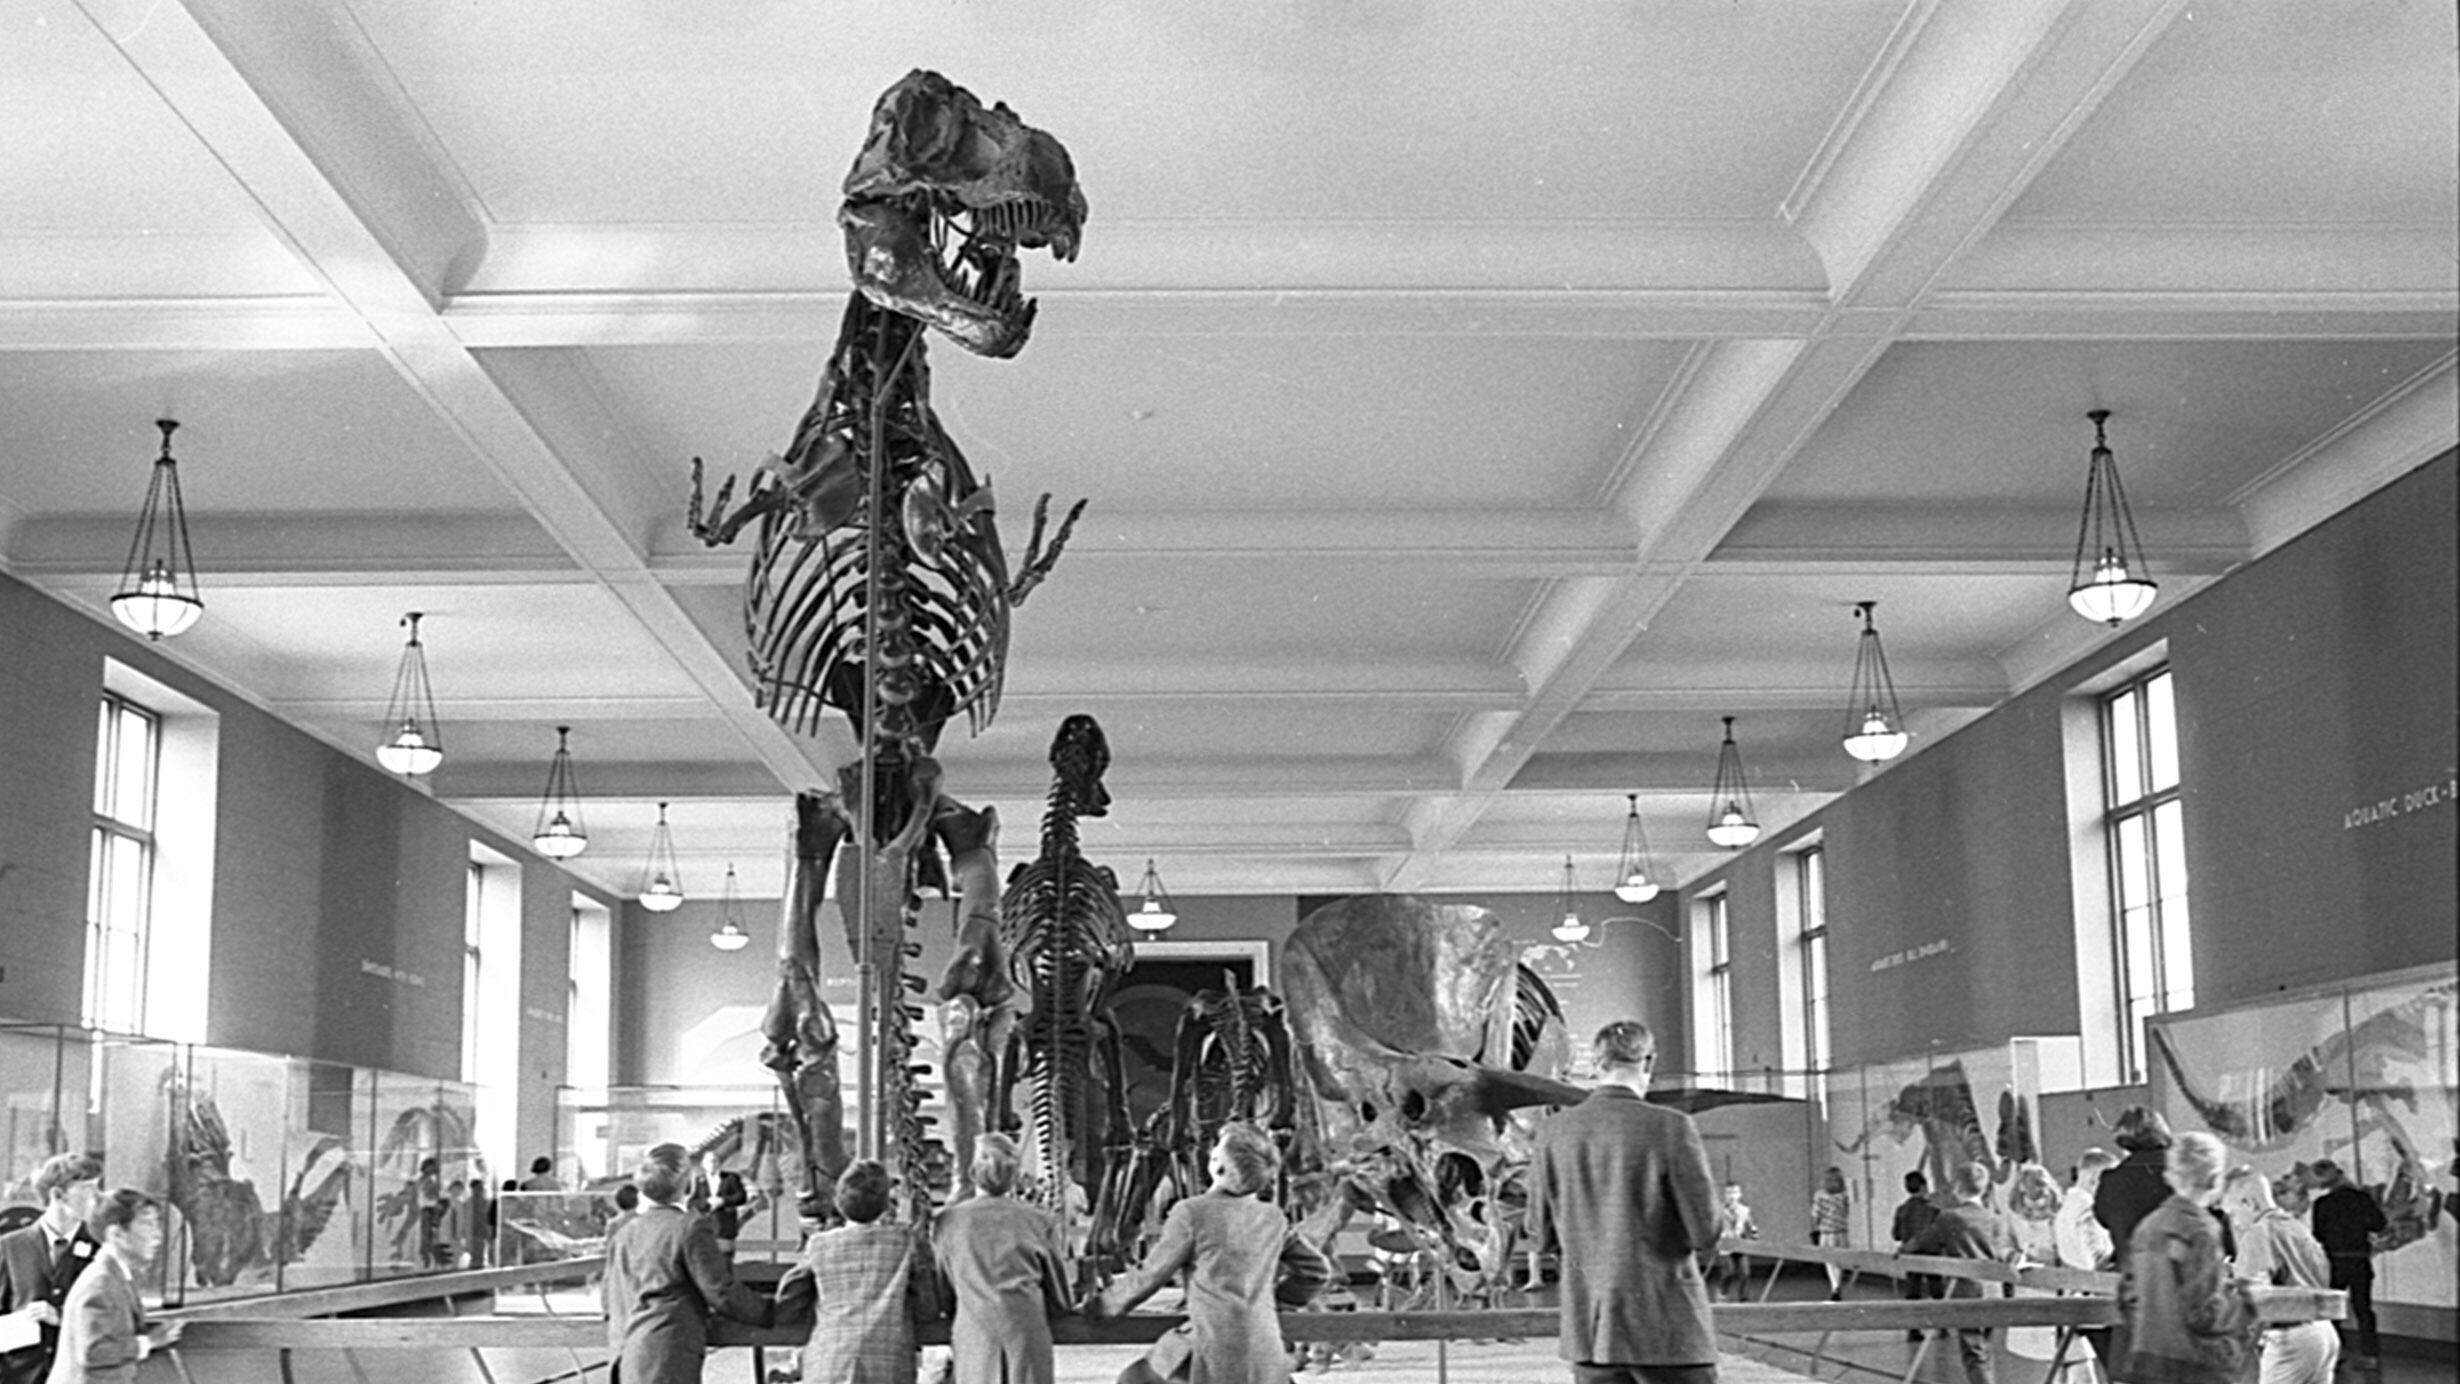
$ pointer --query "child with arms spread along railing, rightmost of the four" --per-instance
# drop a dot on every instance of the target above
(1241, 1260)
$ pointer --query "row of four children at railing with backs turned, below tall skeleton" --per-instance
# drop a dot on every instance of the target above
(990, 1262)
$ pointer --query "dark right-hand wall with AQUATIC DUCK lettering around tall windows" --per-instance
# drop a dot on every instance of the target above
(2314, 685)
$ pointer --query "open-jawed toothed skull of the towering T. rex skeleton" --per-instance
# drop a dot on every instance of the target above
(943, 176)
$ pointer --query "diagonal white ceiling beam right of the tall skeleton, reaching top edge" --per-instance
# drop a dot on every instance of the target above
(1964, 109)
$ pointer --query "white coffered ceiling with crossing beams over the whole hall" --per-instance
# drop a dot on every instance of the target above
(1475, 402)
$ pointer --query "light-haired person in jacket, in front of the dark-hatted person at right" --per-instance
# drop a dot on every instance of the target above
(2181, 1314)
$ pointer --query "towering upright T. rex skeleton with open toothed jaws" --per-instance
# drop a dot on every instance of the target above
(879, 586)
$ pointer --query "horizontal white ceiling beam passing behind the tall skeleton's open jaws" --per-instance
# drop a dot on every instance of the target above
(2255, 311)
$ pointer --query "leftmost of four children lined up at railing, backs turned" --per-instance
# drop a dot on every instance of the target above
(665, 1277)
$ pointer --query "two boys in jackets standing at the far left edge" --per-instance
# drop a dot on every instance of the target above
(70, 1307)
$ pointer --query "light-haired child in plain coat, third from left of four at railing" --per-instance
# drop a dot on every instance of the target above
(1002, 1270)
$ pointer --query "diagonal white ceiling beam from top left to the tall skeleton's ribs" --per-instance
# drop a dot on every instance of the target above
(296, 107)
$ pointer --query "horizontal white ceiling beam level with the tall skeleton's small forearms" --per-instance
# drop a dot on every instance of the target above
(326, 549)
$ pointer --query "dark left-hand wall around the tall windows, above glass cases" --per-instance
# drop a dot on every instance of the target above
(336, 891)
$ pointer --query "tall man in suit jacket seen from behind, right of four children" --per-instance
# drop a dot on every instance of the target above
(1622, 1191)
